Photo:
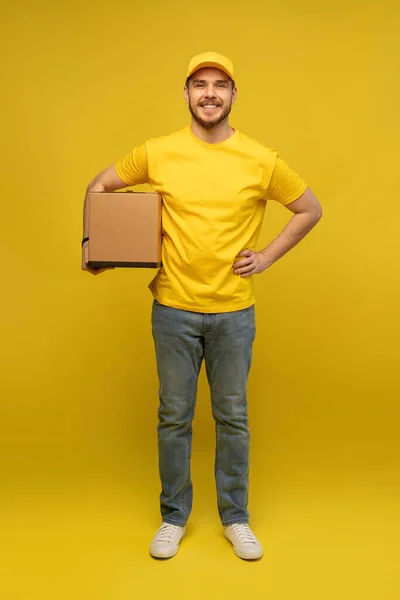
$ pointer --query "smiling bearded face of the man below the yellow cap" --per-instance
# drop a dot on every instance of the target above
(210, 97)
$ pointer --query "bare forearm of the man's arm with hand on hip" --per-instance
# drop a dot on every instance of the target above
(297, 228)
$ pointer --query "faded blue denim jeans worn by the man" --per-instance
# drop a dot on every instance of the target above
(182, 339)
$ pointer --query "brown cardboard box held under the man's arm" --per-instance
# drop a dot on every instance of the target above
(124, 229)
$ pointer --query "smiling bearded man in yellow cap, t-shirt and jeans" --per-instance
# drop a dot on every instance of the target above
(214, 182)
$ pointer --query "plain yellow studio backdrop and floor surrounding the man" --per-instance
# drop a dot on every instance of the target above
(82, 84)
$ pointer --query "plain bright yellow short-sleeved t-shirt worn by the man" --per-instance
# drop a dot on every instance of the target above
(214, 198)
